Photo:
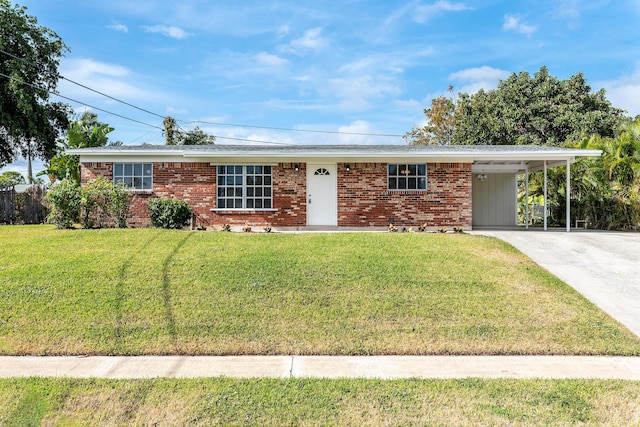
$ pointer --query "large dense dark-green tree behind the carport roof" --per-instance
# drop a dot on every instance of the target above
(538, 110)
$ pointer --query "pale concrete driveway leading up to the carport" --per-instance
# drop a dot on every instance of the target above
(603, 266)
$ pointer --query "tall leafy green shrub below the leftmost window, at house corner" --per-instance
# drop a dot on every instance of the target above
(104, 202)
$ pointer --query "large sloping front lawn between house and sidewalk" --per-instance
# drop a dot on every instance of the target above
(148, 291)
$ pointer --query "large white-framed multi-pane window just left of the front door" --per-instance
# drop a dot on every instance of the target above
(244, 187)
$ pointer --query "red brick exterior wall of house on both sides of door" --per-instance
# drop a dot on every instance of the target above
(363, 198)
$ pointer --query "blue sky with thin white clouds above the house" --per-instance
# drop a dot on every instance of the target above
(353, 66)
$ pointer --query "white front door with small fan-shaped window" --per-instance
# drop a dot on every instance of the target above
(322, 194)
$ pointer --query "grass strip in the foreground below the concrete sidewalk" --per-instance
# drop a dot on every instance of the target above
(224, 401)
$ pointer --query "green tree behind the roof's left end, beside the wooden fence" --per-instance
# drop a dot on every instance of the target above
(85, 132)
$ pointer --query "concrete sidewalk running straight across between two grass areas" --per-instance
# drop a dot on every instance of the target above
(384, 367)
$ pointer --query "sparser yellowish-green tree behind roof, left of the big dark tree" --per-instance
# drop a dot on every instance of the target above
(441, 123)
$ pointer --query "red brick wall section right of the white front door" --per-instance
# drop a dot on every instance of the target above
(363, 198)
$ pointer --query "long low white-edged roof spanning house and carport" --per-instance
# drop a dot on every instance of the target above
(485, 158)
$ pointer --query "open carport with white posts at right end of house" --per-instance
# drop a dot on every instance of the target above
(495, 176)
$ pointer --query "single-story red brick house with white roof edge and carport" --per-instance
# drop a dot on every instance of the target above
(329, 185)
